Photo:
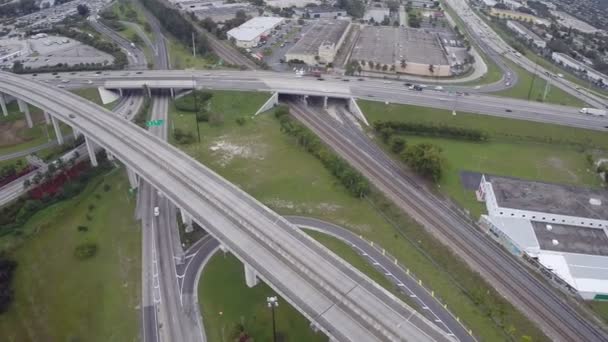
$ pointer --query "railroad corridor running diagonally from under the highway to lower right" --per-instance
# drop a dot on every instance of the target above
(456, 231)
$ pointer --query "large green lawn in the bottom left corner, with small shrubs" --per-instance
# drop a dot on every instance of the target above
(60, 298)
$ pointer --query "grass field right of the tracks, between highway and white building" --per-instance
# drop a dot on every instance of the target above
(535, 151)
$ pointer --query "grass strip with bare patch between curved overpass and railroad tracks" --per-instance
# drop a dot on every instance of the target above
(269, 165)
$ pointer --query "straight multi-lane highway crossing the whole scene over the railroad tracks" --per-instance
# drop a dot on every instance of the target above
(374, 90)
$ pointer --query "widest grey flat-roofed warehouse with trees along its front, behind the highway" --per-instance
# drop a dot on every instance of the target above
(383, 49)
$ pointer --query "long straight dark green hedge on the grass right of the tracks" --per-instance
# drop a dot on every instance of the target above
(387, 128)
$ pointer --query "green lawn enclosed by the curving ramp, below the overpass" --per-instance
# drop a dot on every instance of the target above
(227, 301)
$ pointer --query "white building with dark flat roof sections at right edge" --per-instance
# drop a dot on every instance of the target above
(563, 229)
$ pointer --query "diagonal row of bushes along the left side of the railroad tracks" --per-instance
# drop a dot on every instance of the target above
(354, 182)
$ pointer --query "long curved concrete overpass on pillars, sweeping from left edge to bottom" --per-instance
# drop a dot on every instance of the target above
(337, 299)
